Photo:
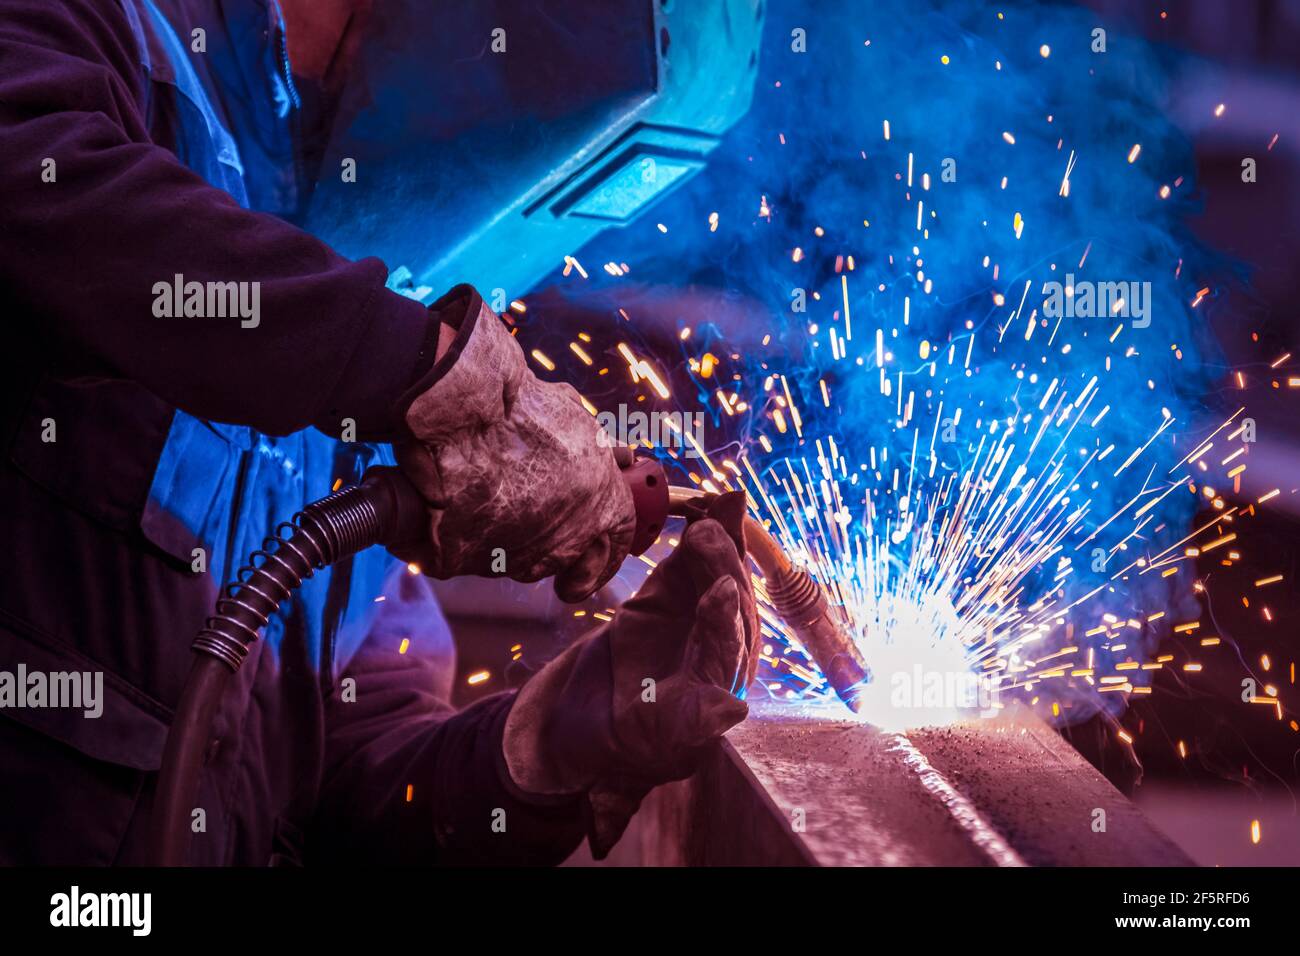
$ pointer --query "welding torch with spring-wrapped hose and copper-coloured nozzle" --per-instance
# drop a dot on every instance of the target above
(385, 509)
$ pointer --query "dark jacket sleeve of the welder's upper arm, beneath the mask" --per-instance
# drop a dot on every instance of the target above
(96, 217)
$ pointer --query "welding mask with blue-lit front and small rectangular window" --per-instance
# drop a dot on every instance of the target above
(482, 142)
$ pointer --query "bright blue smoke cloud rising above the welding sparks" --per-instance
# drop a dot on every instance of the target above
(866, 64)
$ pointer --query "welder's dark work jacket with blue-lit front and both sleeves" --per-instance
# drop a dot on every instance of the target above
(128, 159)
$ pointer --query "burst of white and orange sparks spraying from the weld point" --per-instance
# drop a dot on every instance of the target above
(985, 498)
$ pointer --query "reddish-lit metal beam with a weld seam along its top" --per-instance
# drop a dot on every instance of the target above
(796, 786)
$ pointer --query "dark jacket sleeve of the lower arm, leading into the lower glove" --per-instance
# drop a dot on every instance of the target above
(410, 781)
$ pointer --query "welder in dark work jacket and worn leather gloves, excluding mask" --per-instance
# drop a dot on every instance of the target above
(161, 144)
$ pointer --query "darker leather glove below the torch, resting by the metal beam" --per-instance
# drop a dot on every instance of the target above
(639, 702)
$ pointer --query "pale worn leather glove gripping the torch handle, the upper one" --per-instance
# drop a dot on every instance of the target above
(518, 478)
